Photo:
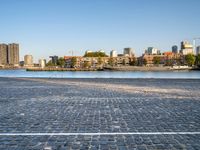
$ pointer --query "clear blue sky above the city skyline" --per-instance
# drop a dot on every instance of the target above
(58, 27)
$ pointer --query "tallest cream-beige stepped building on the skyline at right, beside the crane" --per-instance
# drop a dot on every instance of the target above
(186, 48)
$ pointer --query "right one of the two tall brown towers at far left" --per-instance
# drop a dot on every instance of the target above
(13, 54)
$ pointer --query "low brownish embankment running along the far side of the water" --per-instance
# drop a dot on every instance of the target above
(124, 68)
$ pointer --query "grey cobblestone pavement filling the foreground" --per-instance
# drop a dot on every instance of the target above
(99, 106)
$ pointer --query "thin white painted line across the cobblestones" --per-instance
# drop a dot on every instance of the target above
(92, 134)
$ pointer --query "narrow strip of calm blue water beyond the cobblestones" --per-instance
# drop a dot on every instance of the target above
(101, 74)
